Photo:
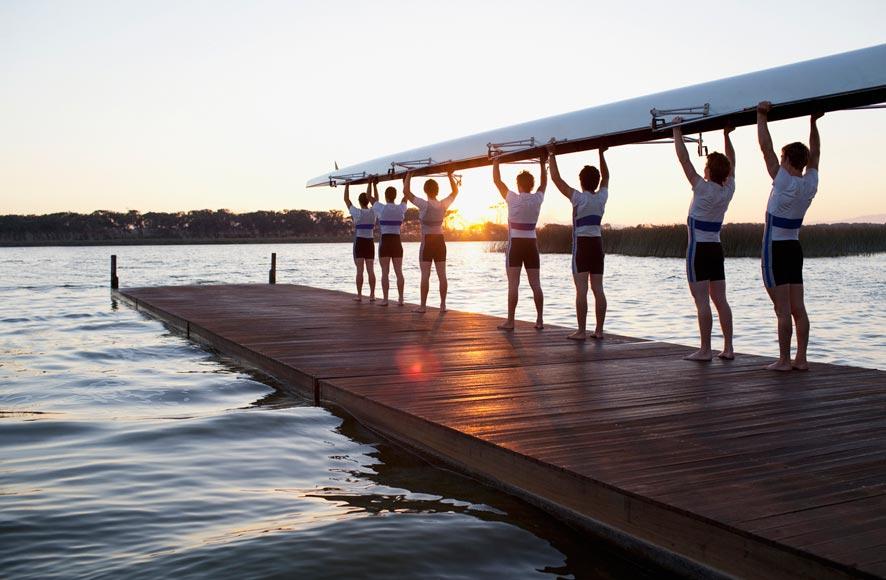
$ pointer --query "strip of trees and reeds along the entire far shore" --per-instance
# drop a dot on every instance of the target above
(105, 228)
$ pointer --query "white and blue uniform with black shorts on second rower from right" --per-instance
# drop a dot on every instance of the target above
(710, 201)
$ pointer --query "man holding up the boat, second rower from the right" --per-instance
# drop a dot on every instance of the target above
(705, 262)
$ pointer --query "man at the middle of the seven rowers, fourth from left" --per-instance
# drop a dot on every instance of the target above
(523, 209)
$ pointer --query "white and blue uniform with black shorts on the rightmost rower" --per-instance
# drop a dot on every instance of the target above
(789, 199)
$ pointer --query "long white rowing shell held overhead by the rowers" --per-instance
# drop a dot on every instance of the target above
(841, 81)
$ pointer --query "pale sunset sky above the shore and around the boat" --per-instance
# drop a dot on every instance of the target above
(180, 105)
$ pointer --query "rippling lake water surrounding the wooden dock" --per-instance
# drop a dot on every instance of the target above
(128, 452)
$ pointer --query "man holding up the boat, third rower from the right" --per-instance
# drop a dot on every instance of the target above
(588, 206)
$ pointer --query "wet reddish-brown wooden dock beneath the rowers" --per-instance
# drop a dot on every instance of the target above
(744, 471)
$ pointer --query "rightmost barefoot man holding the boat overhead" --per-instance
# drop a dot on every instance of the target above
(782, 260)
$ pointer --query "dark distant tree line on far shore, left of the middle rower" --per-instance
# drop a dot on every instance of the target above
(205, 225)
